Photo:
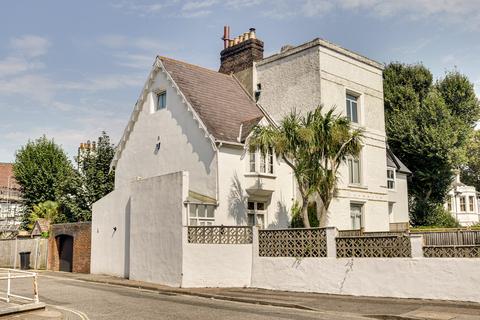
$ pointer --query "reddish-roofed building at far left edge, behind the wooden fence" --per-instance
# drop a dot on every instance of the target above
(10, 199)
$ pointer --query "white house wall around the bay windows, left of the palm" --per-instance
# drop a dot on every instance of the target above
(235, 180)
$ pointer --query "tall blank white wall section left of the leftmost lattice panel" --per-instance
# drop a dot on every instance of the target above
(158, 213)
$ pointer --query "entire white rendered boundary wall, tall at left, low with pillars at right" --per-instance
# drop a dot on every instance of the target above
(139, 232)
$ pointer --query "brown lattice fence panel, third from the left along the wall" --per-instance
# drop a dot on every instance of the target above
(373, 247)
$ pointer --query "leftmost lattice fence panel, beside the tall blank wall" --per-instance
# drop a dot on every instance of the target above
(219, 235)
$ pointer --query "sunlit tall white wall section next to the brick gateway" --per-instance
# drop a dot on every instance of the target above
(110, 249)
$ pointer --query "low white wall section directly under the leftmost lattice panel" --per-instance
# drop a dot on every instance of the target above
(216, 265)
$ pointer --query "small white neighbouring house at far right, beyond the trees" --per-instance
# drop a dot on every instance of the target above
(462, 203)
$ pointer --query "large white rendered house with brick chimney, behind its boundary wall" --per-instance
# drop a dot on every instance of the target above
(197, 120)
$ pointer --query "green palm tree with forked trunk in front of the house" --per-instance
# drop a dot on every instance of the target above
(313, 146)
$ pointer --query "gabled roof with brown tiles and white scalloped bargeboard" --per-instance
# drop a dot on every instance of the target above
(219, 102)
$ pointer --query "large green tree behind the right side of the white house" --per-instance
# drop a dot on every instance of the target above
(427, 127)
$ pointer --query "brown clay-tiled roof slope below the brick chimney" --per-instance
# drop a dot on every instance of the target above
(217, 98)
